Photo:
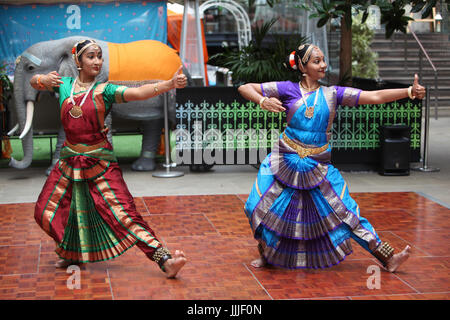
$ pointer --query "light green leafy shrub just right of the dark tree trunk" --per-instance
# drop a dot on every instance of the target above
(364, 60)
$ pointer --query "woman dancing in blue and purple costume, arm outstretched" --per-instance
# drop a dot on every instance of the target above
(299, 208)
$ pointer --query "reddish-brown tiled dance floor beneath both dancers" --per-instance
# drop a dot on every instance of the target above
(216, 237)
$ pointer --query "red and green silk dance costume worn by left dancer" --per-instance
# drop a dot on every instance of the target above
(85, 205)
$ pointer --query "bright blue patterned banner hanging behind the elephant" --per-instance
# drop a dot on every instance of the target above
(24, 25)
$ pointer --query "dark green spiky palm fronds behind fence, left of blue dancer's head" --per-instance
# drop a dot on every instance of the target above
(258, 62)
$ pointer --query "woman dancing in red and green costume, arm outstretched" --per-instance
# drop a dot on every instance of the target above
(85, 205)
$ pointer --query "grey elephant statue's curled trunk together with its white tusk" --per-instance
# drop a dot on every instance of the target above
(24, 112)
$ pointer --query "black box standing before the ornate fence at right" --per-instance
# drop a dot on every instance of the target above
(395, 150)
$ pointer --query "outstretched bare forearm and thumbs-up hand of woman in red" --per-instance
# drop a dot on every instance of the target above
(179, 80)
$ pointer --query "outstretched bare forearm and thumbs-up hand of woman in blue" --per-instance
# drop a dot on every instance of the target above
(388, 95)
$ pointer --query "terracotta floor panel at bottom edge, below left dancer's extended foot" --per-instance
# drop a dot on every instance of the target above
(194, 282)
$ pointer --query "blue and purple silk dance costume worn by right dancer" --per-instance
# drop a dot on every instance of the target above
(299, 208)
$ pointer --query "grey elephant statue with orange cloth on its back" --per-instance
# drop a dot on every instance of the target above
(130, 64)
